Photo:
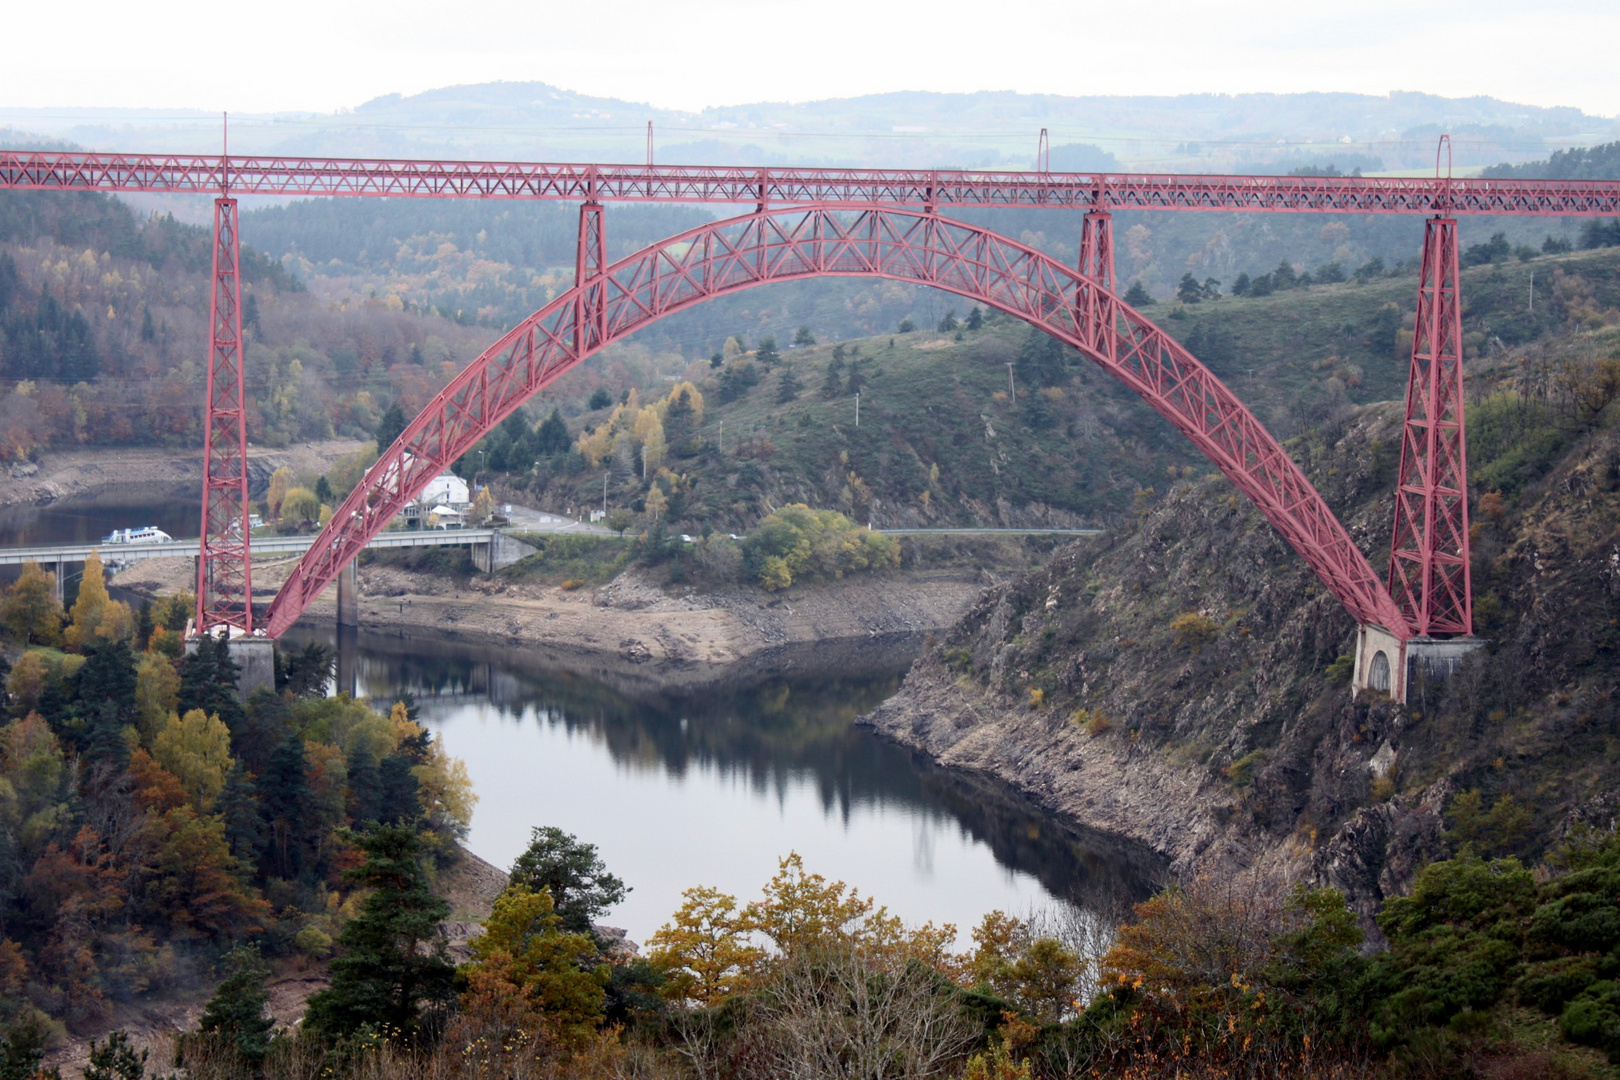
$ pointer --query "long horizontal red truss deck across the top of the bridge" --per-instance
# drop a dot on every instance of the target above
(798, 187)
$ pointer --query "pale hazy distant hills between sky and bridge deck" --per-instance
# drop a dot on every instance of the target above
(991, 129)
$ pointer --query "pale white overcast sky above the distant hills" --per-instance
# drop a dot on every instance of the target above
(688, 54)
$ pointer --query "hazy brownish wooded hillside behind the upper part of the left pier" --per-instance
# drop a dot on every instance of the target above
(104, 323)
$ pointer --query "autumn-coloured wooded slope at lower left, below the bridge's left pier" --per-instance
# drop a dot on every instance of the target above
(150, 820)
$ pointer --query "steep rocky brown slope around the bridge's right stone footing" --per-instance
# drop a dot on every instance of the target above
(1180, 682)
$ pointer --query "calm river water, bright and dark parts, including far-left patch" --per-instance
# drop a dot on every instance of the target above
(704, 786)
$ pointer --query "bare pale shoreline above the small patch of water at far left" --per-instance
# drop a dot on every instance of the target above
(70, 474)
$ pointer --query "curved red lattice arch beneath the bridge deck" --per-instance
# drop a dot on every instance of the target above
(827, 239)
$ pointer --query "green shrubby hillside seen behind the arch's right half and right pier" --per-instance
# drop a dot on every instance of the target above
(981, 422)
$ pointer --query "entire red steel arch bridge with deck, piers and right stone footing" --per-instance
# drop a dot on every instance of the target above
(893, 224)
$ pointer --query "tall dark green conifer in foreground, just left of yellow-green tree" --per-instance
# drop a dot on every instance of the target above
(393, 961)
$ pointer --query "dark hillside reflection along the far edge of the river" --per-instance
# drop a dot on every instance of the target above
(777, 725)
